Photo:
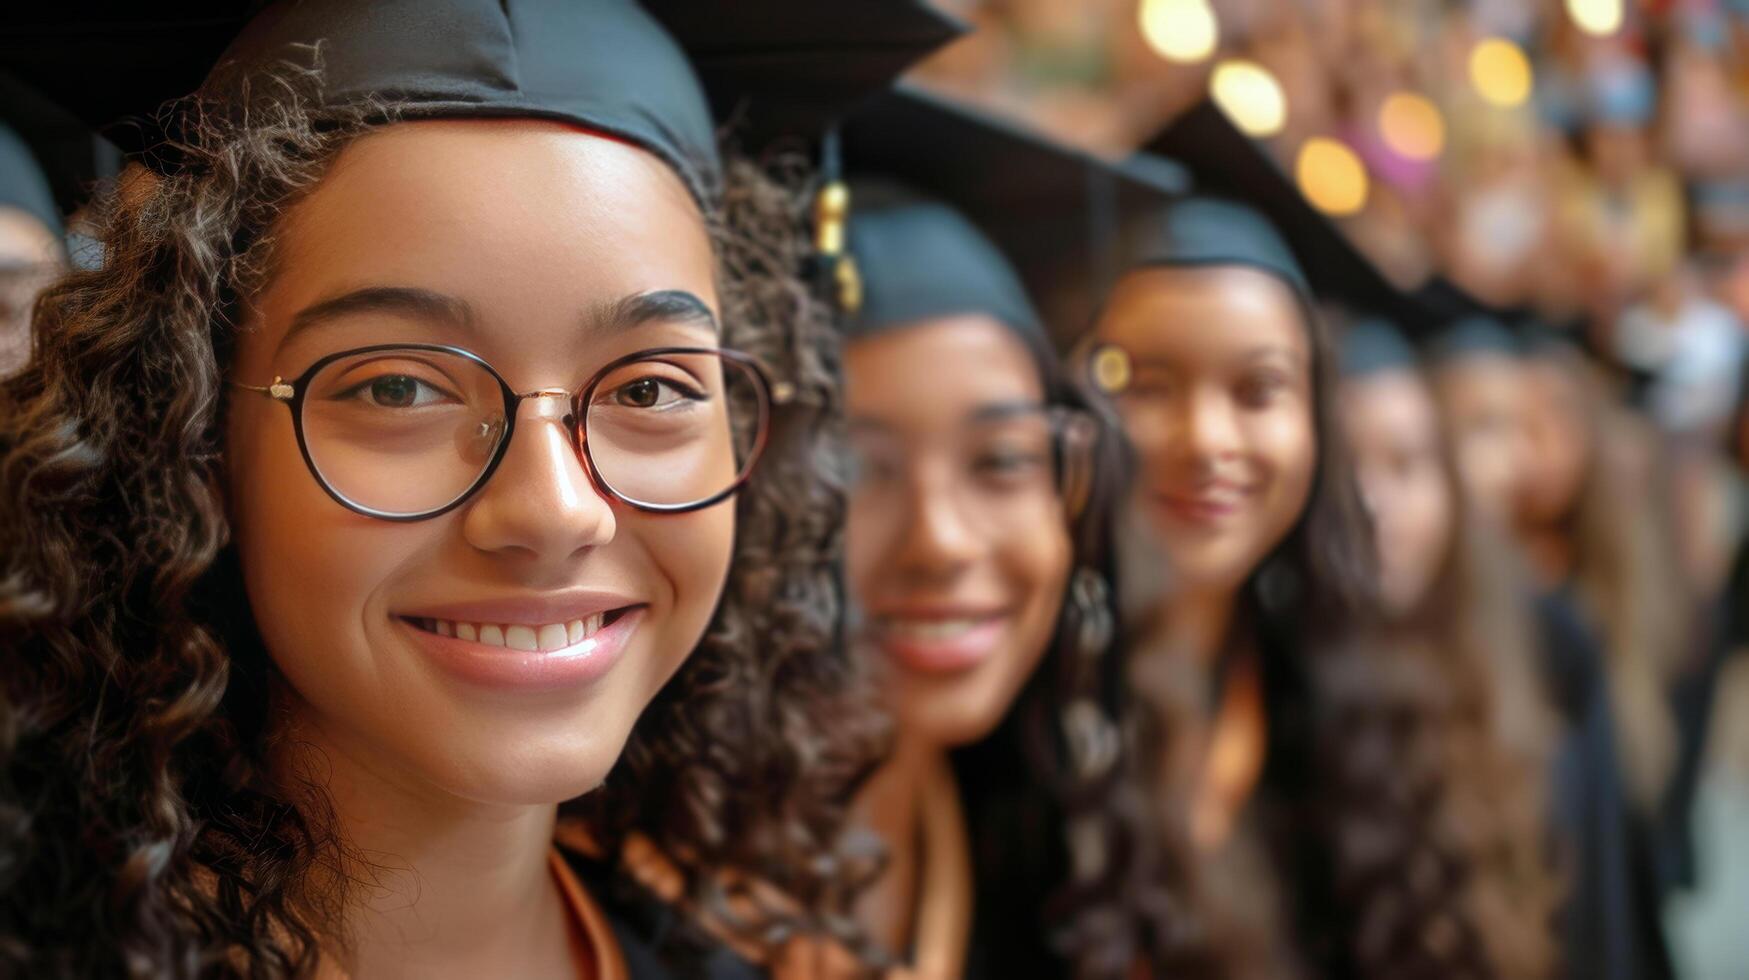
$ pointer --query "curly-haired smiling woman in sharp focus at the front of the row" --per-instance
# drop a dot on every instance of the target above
(393, 498)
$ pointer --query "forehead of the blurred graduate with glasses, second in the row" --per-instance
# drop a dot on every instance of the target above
(940, 370)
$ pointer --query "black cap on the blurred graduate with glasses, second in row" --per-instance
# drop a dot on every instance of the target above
(1050, 209)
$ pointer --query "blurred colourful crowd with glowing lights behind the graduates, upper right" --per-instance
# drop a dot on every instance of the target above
(1601, 211)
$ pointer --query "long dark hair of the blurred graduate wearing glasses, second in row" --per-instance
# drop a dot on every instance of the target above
(1043, 792)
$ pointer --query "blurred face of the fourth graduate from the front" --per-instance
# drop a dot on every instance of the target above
(1393, 428)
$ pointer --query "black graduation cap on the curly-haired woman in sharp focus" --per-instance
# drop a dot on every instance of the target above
(596, 62)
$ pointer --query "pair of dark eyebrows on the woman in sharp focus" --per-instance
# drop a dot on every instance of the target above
(414, 304)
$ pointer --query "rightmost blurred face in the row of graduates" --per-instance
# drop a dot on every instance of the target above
(1557, 444)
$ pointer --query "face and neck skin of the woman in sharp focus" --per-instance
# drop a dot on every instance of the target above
(445, 757)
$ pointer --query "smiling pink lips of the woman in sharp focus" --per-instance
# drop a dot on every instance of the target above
(501, 668)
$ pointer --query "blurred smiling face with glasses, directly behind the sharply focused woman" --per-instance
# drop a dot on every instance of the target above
(958, 545)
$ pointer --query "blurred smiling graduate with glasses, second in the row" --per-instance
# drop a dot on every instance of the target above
(980, 556)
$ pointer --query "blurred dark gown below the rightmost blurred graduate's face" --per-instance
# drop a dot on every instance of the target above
(1612, 920)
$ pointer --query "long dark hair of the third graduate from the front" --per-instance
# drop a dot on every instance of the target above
(1314, 591)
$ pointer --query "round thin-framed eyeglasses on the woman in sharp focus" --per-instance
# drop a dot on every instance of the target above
(412, 431)
